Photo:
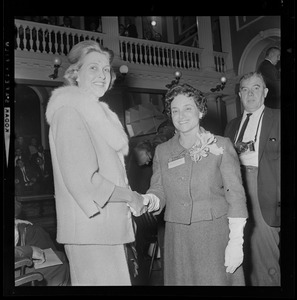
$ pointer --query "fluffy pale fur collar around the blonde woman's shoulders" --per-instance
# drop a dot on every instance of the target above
(97, 114)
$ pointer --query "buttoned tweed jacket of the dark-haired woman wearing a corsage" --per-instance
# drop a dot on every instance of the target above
(195, 191)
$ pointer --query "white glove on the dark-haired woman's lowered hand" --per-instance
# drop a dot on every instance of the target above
(234, 251)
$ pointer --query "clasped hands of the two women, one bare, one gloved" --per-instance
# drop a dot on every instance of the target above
(138, 204)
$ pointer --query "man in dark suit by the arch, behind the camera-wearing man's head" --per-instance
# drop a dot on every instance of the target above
(271, 76)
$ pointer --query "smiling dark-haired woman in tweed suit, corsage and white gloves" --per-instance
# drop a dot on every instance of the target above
(196, 179)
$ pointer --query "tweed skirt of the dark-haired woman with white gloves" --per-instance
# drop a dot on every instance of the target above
(195, 254)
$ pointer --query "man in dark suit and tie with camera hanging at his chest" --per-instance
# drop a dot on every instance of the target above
(259, 154)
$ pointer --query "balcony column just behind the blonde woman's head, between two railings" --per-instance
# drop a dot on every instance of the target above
(110, 26)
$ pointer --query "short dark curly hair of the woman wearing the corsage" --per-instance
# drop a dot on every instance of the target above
(189, 91)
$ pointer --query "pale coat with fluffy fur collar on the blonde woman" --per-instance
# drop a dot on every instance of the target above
(88, 145)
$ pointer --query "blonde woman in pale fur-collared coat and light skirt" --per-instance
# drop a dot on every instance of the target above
(88, 145)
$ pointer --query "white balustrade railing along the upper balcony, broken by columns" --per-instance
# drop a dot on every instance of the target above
(49, 39)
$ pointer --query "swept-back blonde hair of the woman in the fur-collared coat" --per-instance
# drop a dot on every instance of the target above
(78, 53)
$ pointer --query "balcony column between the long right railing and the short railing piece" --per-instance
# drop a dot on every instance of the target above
(205, 42)
